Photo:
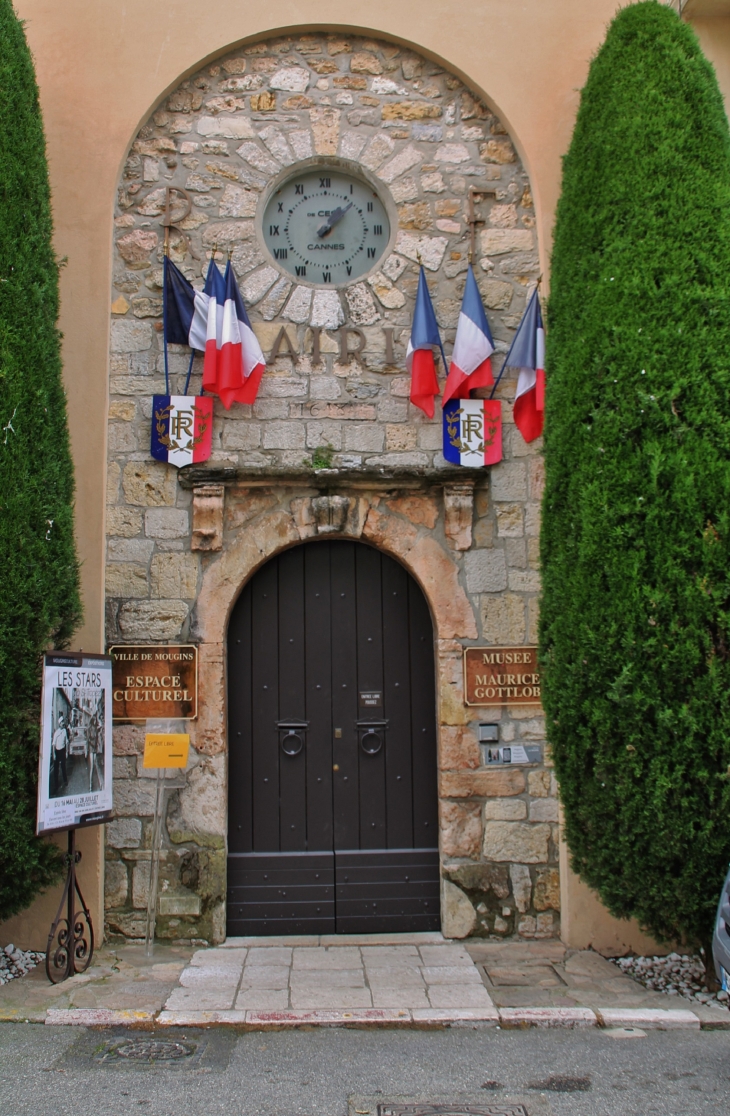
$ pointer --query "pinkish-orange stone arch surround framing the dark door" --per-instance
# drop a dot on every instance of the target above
(419, 527)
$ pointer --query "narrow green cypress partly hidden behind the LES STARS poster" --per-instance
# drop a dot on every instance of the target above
(40, 599)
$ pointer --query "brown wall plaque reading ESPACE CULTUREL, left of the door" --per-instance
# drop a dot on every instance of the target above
(155, 681)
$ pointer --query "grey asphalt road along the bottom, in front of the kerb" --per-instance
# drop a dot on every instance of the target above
(72, 1072)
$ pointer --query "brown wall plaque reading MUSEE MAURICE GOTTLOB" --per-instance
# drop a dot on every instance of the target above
(502, 677)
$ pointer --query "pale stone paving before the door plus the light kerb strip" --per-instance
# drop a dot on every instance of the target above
(386, 982)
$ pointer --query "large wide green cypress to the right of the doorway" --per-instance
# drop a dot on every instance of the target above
(636, 620)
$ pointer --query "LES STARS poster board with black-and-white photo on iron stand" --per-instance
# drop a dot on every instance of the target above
(75, 775)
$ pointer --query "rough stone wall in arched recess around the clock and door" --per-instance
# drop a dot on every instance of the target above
(223, 136)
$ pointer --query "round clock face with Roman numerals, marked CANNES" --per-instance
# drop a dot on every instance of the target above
(326, 227)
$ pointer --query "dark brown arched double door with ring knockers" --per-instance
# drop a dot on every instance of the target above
(333, 756)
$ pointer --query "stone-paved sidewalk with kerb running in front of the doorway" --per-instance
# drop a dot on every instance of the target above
(400, 980)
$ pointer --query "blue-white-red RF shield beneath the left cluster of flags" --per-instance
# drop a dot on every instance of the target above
(182, 429)
